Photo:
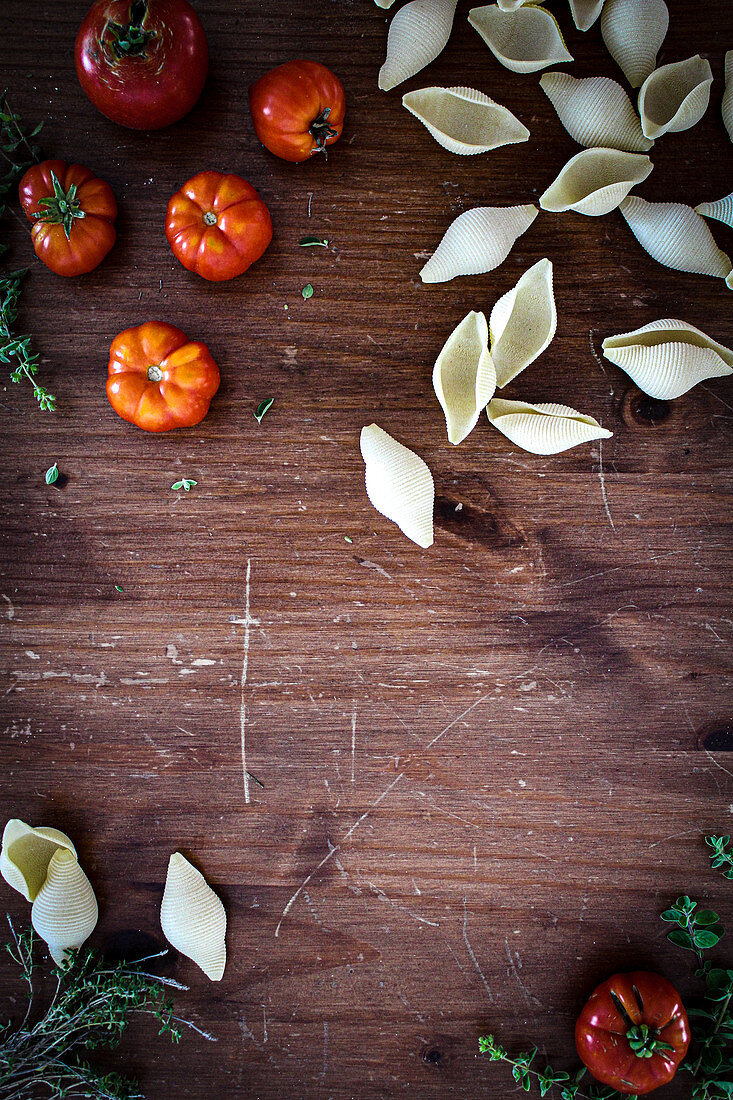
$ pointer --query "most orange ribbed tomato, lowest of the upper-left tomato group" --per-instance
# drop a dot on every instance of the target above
(160, 380)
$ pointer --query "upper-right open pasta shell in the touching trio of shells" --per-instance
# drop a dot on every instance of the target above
(523, 323)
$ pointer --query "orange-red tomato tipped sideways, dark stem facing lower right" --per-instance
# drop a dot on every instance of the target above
(298, 109)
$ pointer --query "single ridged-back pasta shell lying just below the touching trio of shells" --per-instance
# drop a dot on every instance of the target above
(399, 485)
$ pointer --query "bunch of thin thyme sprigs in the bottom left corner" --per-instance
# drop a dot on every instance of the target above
(91, 1007)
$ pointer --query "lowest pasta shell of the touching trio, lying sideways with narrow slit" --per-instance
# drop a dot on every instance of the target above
(544, 430)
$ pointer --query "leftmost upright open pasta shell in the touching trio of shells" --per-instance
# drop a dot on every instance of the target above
(464, 377)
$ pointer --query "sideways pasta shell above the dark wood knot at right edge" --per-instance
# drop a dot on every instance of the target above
(668, 358)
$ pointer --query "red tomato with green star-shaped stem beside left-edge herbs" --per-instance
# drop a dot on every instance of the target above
(73, 215)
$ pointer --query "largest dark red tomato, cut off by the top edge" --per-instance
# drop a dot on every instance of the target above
(143, 63)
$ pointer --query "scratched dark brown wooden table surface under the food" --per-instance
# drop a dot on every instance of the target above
(486, 767)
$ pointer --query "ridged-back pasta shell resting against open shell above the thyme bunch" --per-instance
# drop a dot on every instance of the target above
(65, 910)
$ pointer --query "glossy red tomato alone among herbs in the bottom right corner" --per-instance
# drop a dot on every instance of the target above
(633, 1032)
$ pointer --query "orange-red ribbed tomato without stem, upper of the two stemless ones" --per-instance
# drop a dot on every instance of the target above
(217, 226)
